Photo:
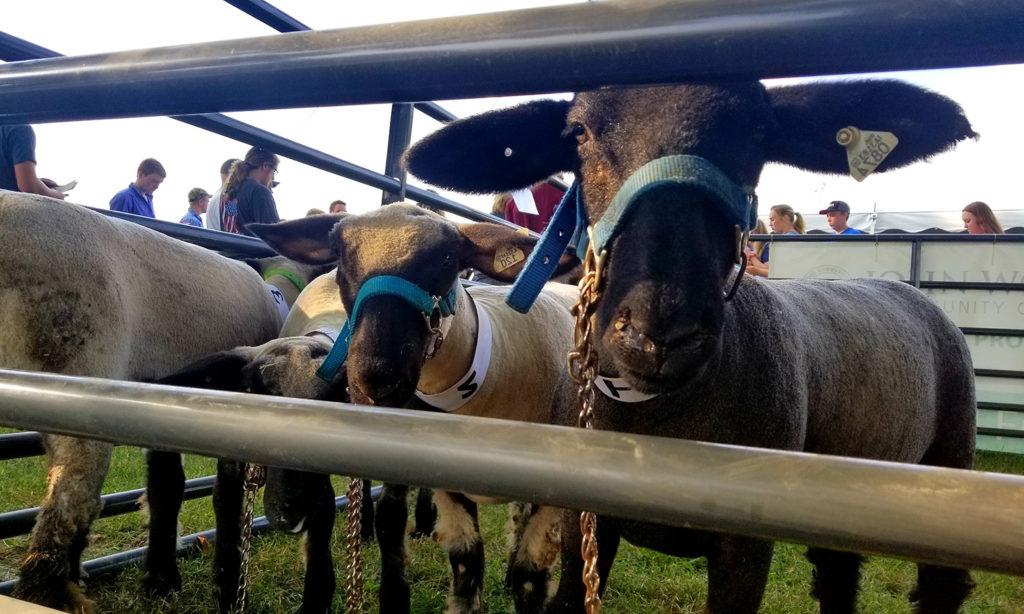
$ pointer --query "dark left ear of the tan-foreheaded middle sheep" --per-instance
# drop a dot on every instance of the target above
(310, 240)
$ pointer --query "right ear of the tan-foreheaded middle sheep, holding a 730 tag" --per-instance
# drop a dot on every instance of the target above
(500, 252)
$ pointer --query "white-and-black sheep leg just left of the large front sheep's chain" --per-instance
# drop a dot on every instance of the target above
(535, 549)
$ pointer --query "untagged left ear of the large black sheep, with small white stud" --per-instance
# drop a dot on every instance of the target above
(500, 151)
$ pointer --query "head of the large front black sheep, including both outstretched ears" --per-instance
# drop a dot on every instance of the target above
(661, 315)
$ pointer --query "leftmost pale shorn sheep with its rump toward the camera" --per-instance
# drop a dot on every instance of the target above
(87, 295)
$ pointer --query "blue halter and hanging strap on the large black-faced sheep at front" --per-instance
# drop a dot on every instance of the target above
(569, 226)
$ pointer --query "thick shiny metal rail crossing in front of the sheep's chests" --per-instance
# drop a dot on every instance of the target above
(844, 504)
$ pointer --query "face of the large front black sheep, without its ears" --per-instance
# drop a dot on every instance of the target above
(661, 314)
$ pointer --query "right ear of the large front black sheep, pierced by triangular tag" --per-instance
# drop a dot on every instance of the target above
(808, 116)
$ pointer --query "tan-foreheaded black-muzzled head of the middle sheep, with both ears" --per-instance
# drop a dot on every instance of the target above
(390, 341)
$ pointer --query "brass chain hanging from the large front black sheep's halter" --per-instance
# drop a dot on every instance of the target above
(583, 372)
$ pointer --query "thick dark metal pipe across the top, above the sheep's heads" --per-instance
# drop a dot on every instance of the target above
(563, 49)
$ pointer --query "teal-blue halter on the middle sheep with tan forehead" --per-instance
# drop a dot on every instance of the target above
(430, 305)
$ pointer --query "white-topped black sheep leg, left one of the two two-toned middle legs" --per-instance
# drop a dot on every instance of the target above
(459, 533)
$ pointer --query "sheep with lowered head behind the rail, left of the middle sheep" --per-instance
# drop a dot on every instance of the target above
(294, 502)
